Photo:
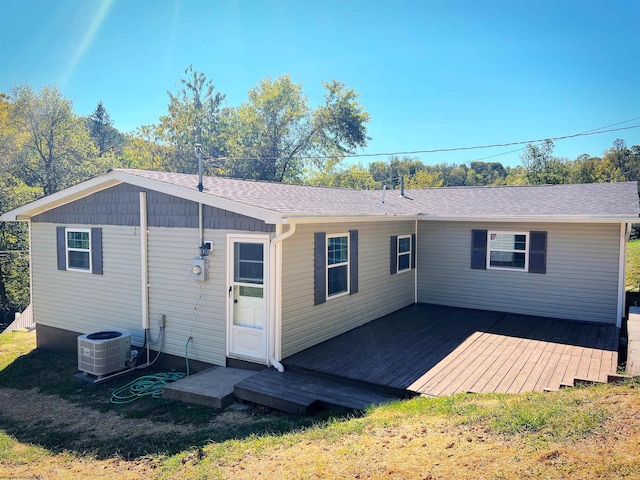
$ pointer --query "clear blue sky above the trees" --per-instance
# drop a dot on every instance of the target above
(432, 74)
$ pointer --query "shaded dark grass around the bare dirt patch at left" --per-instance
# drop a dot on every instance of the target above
(53, 373)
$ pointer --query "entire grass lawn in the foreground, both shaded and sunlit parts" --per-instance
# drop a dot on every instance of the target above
(53, 426)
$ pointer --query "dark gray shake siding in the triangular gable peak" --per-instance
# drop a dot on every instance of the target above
(120, 205)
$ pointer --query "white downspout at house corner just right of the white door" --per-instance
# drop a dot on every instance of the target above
(275, 296)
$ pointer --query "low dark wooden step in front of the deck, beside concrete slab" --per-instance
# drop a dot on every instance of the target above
(301, 394)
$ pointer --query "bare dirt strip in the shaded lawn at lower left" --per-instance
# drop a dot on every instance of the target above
(63, 425)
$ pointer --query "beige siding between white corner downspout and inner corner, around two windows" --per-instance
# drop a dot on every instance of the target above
(379, 293)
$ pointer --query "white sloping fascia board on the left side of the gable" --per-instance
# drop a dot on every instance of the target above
(60, 198)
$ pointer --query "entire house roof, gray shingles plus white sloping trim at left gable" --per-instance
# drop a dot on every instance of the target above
(285, 203)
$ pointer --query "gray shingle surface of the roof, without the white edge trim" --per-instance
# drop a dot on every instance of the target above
(581, 200)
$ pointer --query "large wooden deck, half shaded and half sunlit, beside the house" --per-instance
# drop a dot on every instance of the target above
(435, 350)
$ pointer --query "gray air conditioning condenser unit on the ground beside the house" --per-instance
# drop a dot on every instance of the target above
(102, 353)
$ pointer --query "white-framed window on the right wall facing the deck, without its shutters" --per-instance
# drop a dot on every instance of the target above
(508, 250)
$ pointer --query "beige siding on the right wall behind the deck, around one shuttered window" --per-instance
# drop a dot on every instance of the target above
(581, 281)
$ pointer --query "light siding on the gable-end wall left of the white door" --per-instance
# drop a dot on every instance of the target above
(81, 302)
